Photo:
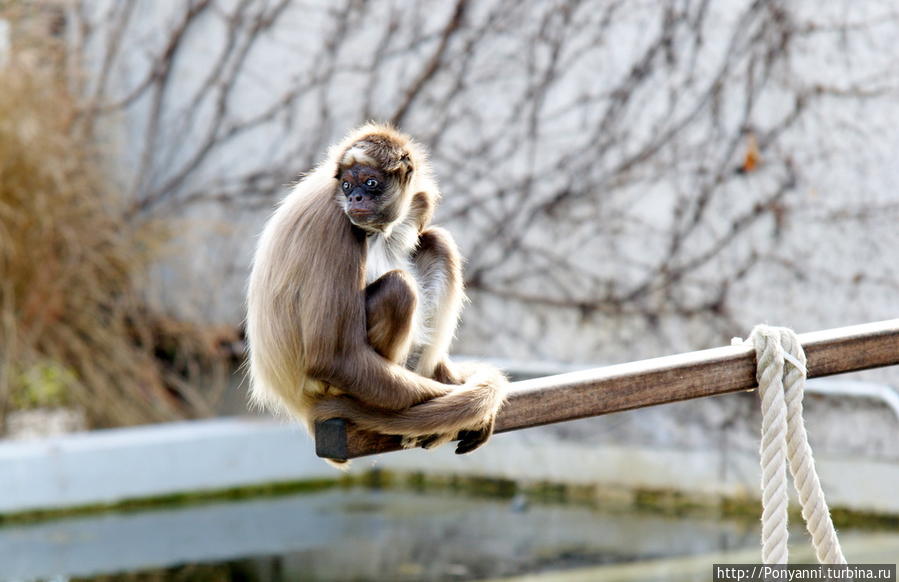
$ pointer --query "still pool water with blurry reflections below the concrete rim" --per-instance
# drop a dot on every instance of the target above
(357, 534)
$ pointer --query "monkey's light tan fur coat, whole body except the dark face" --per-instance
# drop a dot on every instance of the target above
(354, 320)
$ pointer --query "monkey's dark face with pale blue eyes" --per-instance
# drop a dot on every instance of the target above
(368, 197)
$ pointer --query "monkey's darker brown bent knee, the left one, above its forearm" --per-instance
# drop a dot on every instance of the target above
(390, 303)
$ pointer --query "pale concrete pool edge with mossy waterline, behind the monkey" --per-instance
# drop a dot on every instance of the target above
(222, 459)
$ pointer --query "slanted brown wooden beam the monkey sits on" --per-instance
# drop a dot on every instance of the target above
(645, 383)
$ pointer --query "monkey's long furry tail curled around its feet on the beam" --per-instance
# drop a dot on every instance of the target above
(471, 406)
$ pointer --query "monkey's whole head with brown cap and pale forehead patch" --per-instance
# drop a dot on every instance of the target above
(374, 176)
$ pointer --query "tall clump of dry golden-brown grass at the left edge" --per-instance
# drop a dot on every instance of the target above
(73, 327)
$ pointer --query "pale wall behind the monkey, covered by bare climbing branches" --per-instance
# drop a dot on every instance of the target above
(824, 261)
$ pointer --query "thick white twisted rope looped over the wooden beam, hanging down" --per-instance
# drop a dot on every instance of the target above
(785, 441)
